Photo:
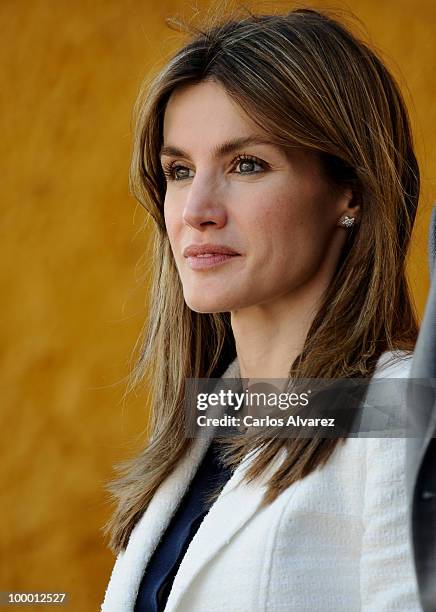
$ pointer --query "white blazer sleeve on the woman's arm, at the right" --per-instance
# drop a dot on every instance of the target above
(387, 574)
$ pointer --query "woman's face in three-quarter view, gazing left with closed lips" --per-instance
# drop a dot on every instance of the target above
(229, 187)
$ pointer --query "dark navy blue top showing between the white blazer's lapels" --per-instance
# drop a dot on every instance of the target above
(164, 563)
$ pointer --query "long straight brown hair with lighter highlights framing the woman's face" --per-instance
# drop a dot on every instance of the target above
(307, 81)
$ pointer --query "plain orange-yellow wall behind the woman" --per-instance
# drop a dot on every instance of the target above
(72, 294)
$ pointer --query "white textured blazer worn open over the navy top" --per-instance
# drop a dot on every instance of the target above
(335, 541)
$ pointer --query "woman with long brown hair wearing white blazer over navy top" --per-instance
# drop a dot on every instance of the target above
(275, 157)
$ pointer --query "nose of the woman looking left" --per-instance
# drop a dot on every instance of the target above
(204, 204)
